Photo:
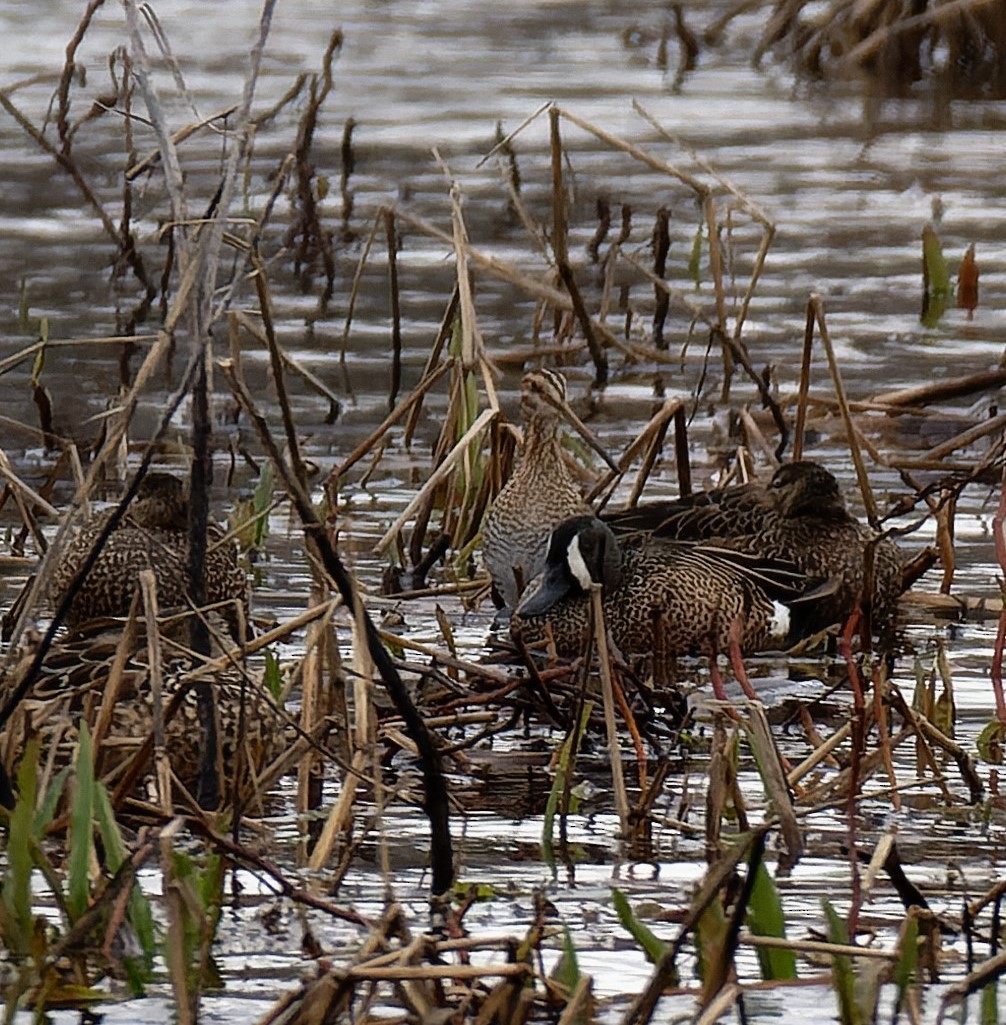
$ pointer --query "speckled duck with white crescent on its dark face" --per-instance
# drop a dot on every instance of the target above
(700, 598)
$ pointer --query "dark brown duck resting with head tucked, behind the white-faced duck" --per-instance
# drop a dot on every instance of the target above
(799, 517)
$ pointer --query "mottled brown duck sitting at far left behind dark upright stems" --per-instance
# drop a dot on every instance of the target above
(152, 536)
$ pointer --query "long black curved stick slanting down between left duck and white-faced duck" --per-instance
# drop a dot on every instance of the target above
(435, 804)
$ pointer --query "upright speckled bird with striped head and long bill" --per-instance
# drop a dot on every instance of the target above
(541, 494)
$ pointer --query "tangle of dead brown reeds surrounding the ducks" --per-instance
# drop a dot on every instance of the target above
(605, 301)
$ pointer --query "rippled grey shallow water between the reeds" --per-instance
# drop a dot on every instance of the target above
(849, 184)
